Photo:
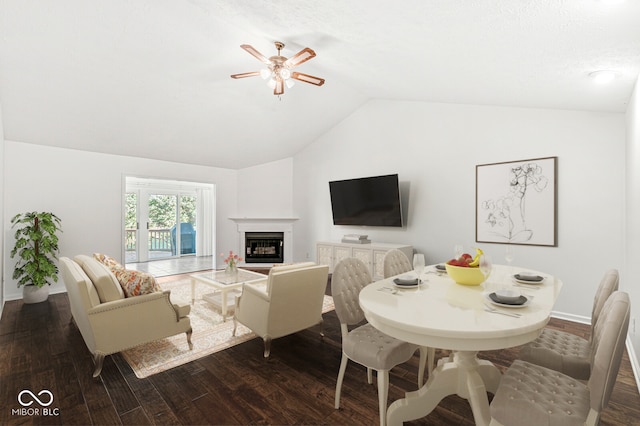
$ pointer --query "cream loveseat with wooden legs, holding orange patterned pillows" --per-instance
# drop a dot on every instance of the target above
(110, 322)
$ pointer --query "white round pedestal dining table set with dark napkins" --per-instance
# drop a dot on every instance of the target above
(442, 314)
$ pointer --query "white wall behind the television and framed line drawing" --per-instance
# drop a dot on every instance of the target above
(435, 147)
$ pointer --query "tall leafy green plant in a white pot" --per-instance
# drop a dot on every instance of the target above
(36, 247)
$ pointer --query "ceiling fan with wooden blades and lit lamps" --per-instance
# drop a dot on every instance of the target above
(279, 68)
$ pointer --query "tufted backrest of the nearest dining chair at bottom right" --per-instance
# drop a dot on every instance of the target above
(608, 339)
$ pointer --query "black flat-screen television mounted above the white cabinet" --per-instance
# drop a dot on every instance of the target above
(369, 201)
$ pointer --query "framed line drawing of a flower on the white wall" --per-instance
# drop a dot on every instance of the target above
(516, 202)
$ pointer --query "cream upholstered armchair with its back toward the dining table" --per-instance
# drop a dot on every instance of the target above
(288, 301)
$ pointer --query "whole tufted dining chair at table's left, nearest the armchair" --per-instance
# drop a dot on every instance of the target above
(365, 344)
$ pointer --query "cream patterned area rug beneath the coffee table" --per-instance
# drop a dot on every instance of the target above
(210, 333)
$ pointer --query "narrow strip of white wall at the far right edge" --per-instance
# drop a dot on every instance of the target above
(629, 281)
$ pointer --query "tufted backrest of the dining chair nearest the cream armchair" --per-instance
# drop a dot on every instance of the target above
(349, 277)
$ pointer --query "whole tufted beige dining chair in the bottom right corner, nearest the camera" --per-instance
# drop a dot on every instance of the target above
(529, 394)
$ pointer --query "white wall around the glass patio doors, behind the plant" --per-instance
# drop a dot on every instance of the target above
(85, 190)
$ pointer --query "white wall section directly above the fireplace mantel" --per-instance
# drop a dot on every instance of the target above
(266, 191)
